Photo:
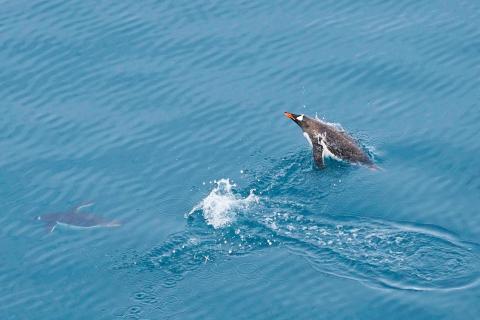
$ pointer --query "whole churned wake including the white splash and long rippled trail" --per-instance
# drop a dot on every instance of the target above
(229, 223)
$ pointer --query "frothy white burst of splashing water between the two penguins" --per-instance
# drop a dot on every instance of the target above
(220, 206)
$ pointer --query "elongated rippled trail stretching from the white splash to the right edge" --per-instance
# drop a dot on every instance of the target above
(379, 252)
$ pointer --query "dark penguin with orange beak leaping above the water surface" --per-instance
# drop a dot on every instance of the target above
(328, 141)
